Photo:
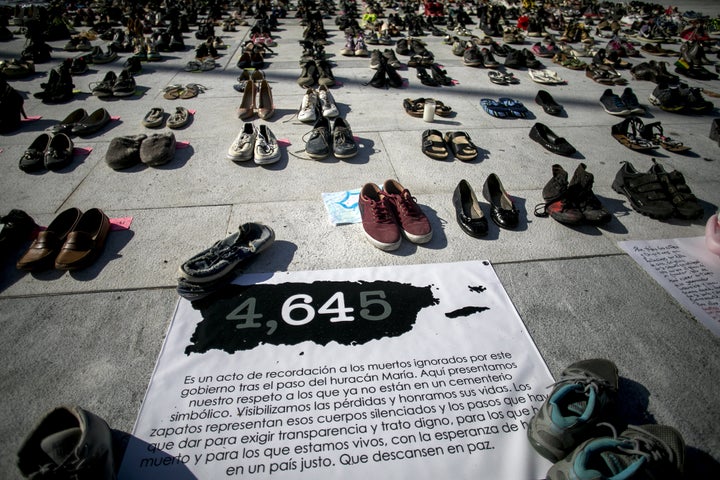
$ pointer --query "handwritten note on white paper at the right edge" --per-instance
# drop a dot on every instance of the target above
(687, 270)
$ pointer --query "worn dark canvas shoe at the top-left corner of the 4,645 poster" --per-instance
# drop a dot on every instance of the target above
(225, 255)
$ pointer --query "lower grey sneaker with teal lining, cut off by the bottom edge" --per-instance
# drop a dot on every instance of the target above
(645, 452)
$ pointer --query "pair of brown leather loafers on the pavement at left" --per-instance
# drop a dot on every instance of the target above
(72, 241)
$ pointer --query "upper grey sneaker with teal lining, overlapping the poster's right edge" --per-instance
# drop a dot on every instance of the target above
(579, 401)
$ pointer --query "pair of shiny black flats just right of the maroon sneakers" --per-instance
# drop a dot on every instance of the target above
(470, 215)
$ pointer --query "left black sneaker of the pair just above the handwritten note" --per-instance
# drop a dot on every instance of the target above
(645, 191)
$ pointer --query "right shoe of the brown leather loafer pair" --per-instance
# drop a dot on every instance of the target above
(85, 242)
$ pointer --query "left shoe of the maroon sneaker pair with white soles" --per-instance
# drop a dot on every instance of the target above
(379, 222)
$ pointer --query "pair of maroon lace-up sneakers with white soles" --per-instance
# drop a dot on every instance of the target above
(391, 212)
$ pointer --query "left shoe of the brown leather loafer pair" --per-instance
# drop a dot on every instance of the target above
(42, 252)
